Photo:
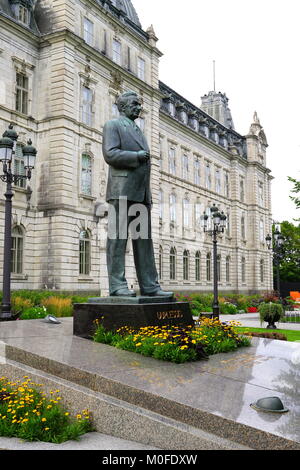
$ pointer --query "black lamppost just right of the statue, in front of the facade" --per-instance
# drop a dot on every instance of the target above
(217, 226)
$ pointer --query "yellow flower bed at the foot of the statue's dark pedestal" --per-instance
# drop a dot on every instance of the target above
(175, 343)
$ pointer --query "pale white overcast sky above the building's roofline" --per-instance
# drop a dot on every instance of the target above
(255, 45)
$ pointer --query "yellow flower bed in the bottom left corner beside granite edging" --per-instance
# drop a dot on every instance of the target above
(26, 412)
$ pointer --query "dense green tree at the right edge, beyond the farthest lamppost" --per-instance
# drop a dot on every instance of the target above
(290, 253)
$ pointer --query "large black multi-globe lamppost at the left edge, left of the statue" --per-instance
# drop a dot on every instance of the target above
(7, 151)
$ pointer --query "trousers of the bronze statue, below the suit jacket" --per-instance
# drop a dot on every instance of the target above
(121, 221)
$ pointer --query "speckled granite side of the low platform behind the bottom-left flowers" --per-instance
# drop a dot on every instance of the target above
(117, 418)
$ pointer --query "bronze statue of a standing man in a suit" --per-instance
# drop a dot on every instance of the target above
(127, 153)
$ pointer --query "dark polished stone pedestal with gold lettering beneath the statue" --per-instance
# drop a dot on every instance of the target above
(136, 312)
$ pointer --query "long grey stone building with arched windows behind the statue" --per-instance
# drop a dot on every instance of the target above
(63, 63)
